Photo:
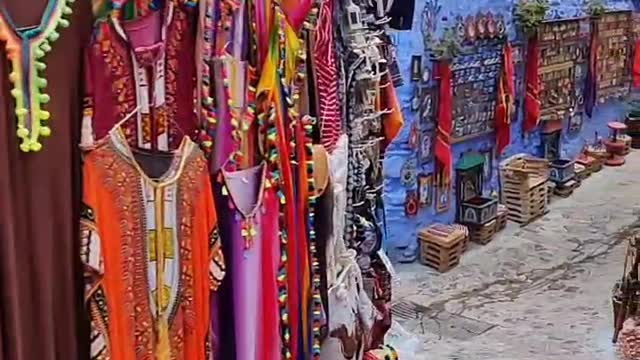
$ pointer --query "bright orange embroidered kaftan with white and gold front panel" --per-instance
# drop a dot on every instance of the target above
(150, 251)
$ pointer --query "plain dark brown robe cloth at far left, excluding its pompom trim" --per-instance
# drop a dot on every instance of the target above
(40, 277)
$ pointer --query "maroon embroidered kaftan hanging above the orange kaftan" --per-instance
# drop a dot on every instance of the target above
(143, 69)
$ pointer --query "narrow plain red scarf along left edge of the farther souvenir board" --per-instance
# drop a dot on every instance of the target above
(531, 101)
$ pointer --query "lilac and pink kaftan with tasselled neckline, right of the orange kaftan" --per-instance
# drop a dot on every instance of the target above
(249, 327)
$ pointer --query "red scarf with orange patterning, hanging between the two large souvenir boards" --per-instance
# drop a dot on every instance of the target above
(504, 106)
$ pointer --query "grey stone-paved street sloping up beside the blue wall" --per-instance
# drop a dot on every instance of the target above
(541, 292)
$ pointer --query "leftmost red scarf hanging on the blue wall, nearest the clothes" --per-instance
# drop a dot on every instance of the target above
(442, 145)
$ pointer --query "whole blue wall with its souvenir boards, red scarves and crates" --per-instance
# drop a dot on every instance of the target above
(509, 107)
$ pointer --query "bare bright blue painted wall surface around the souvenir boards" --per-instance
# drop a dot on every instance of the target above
(401, 231)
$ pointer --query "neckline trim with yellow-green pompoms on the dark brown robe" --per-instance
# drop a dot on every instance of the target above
(25, 50)
